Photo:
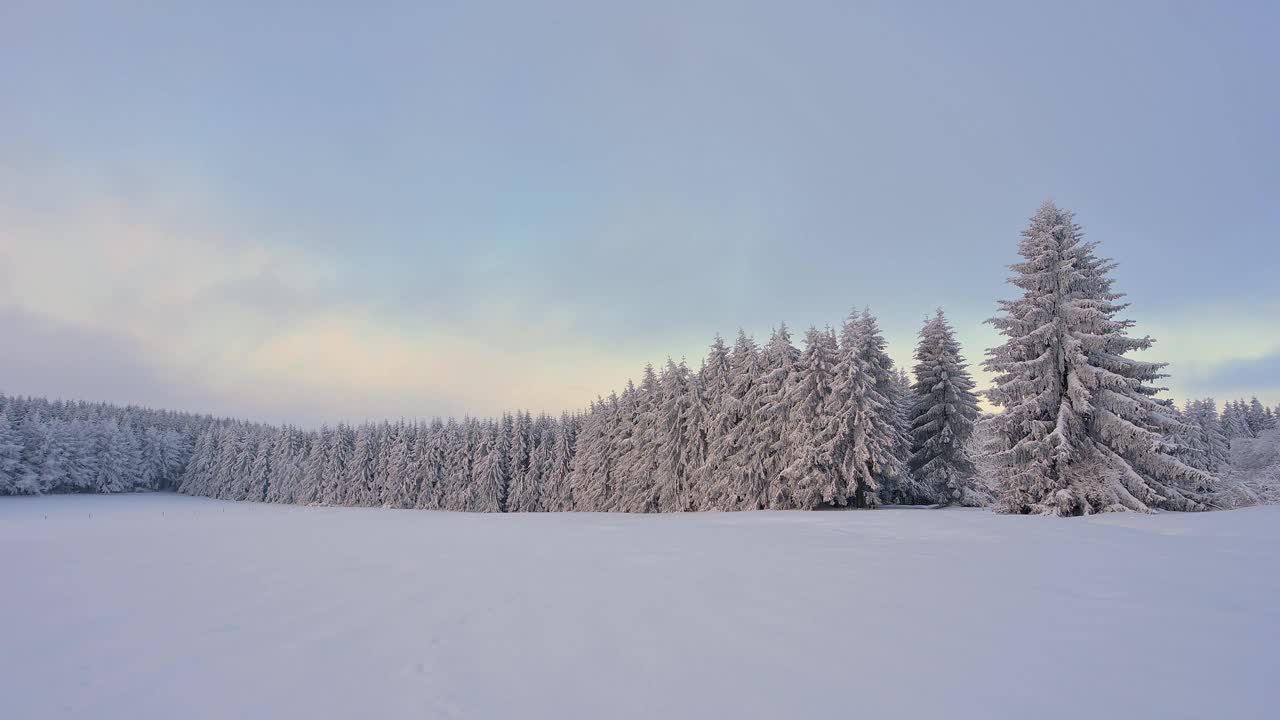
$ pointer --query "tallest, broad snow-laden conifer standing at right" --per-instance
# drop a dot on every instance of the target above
(1081, 430)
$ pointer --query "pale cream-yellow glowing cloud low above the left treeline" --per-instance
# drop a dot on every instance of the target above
(138, 307)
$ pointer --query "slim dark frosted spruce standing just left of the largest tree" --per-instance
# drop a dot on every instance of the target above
(943, 417)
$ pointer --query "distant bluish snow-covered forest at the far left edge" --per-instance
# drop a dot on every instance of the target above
(54, 446)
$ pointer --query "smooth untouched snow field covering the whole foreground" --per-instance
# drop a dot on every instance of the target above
(163, 607)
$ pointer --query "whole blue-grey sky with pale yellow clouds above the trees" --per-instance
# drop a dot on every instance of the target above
(303, 212)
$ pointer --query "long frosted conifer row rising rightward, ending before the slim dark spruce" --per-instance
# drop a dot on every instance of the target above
(772, 427)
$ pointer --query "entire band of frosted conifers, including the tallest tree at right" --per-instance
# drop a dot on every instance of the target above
(829, 422)
